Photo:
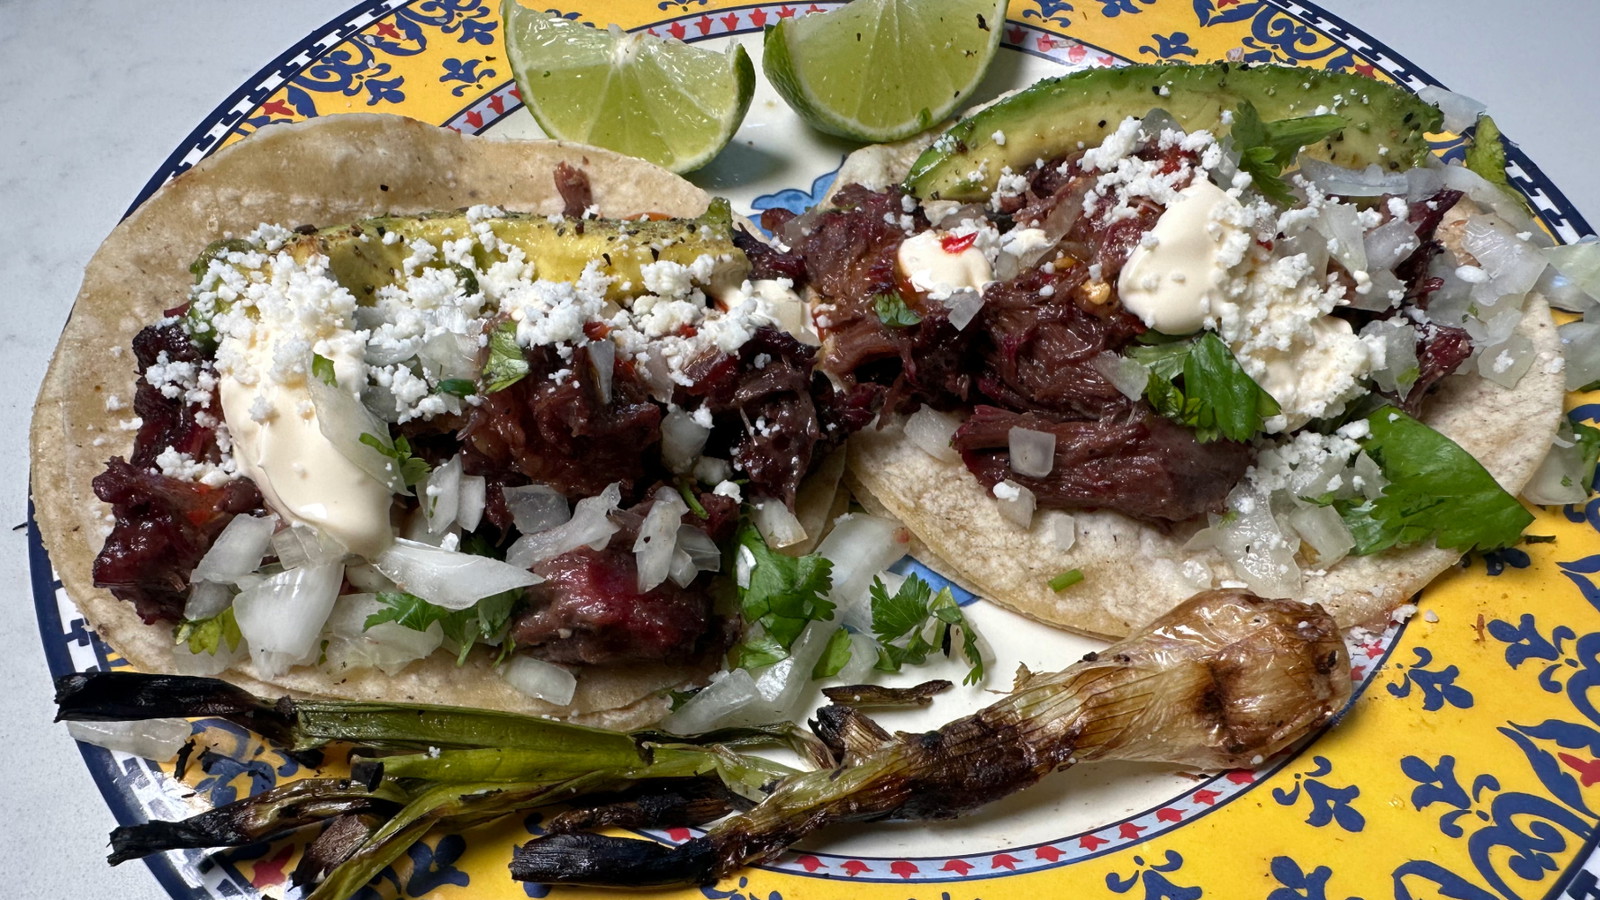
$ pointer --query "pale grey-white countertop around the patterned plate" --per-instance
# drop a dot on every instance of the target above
(95, 95)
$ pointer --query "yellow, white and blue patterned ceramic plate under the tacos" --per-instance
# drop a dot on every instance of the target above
(1466, 768)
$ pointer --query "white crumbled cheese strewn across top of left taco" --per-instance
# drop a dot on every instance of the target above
(274, 313)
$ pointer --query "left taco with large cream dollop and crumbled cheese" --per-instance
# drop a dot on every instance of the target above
(455, 395)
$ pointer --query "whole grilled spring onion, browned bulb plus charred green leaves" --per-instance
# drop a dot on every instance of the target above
(1222, 681)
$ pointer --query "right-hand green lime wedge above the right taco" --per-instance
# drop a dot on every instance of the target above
(882, 70)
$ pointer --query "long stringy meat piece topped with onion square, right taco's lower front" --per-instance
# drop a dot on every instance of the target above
(1135, 464)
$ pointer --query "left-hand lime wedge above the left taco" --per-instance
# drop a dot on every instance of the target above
(634, 94)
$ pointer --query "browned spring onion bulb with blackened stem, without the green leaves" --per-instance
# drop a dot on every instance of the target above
(1223, 680)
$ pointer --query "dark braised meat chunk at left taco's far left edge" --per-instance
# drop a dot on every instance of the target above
(164, 528)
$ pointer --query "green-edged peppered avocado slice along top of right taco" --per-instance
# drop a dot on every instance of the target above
(1058, 116)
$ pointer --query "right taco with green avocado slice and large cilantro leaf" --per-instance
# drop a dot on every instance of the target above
(1322, 412)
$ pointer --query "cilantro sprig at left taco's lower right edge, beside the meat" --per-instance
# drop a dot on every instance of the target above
(783, 595)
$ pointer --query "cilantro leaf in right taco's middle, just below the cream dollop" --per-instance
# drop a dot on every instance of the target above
(1217, 398)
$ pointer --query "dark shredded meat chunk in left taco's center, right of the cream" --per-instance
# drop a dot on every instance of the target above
(566, 435)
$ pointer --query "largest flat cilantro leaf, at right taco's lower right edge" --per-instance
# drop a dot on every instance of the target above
(1436, 491)
